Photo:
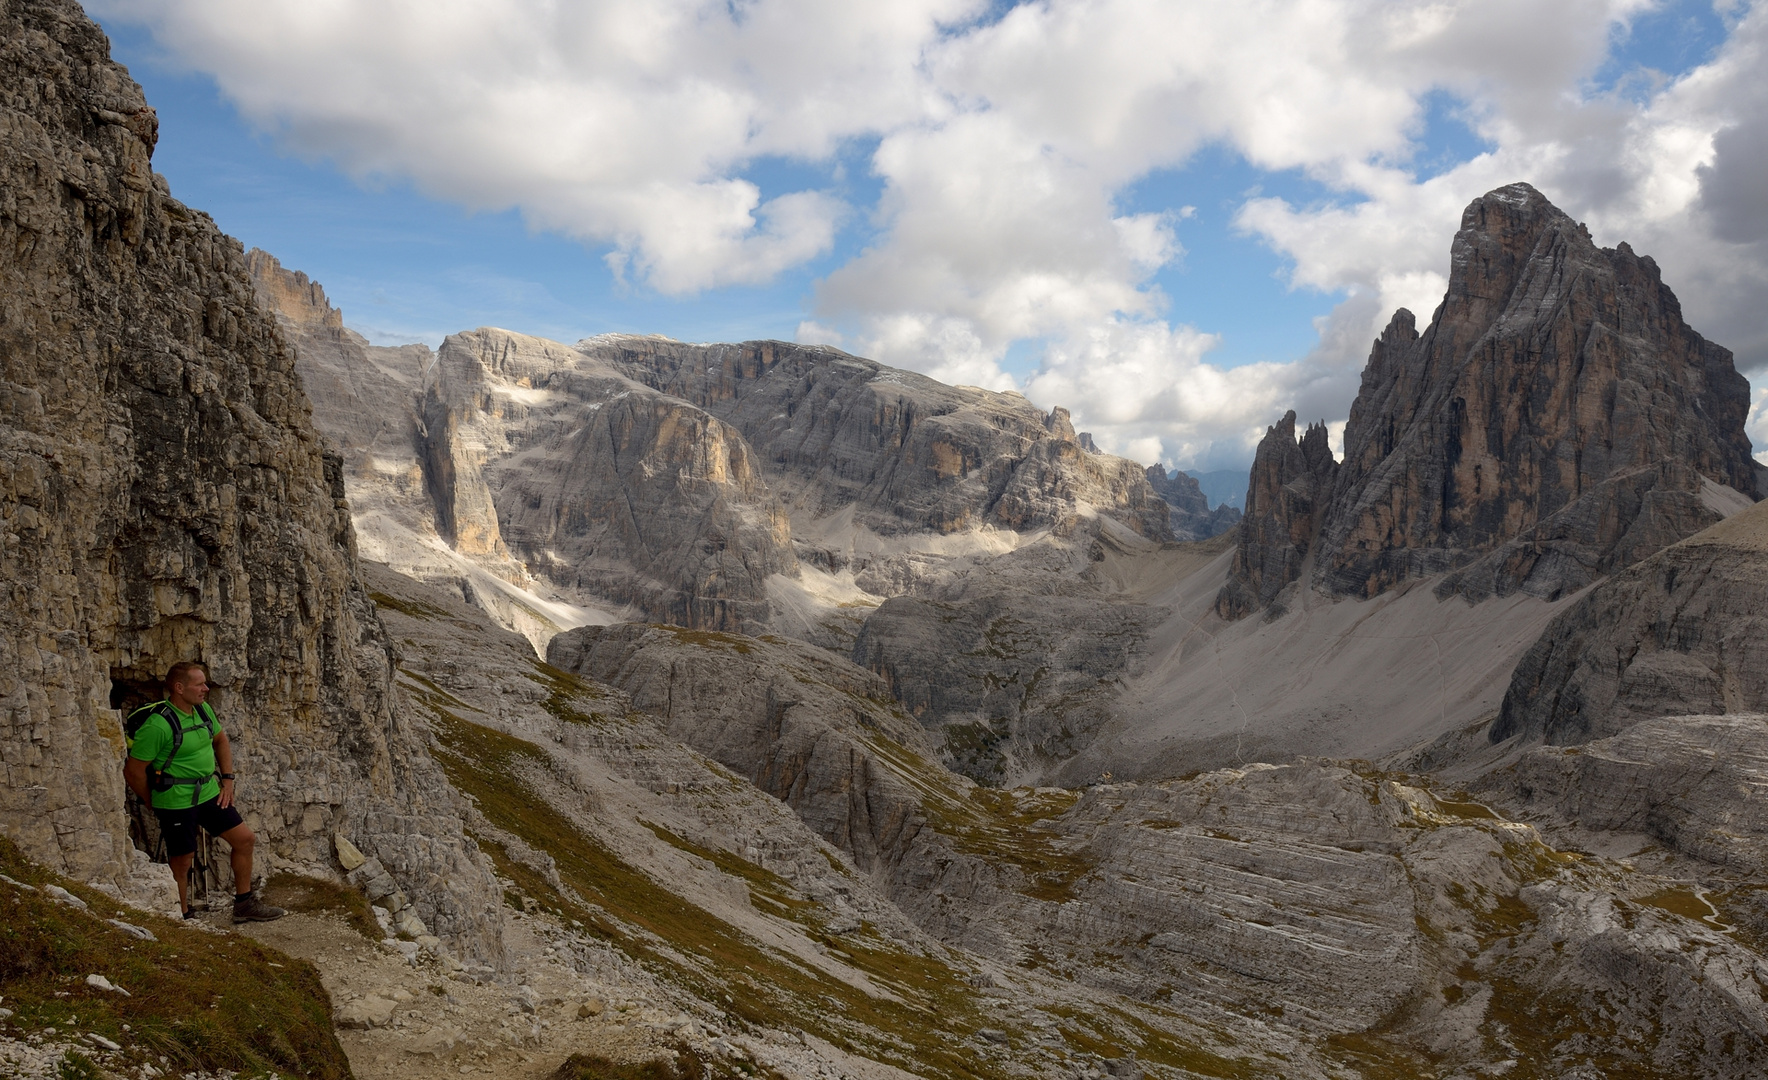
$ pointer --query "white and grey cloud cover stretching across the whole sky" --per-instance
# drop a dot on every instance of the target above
(1005, 146)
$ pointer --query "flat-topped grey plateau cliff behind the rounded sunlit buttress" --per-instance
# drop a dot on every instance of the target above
(906, 452)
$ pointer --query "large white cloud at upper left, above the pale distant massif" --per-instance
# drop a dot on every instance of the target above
(623, 123)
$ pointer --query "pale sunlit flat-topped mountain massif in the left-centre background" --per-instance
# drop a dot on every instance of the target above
(685, 483)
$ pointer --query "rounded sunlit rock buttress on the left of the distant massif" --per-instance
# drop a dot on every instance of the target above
(540, 453)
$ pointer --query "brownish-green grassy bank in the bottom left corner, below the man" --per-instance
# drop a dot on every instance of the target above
(204, 1001)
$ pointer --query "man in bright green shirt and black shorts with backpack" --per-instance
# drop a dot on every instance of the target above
(179, 780)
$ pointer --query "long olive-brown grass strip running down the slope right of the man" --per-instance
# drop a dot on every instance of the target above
(694, 948)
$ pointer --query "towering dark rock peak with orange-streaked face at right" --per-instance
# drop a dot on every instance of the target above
(1557, 422)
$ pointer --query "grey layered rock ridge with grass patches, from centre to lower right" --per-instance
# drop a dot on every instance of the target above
(1315, 895)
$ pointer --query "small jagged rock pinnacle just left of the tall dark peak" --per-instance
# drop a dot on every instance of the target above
(1286, 498)
